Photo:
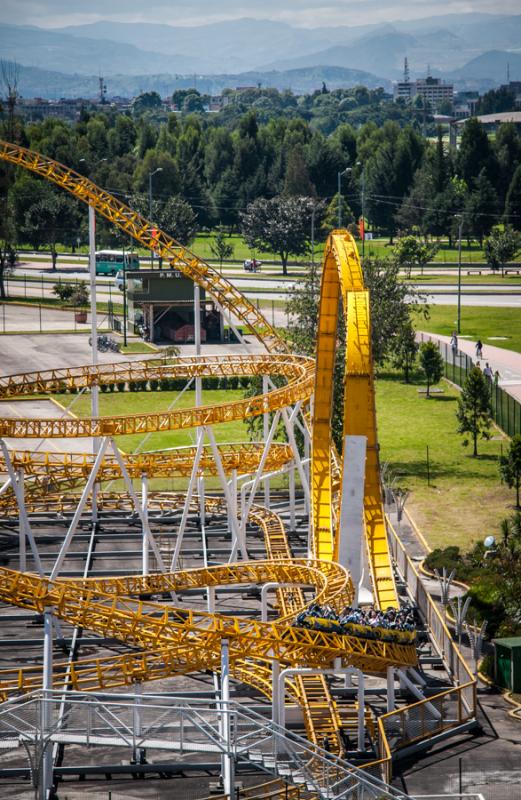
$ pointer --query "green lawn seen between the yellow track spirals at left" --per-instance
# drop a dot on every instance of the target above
(126, 403)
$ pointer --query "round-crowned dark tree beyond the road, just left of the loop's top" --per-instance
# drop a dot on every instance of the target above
(282, 225)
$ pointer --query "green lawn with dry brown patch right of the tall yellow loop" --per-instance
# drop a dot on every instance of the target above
(465, 500)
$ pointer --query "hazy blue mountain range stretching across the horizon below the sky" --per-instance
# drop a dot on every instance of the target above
(471, 49)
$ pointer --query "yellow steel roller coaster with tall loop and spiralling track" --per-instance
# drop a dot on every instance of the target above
(164, 637)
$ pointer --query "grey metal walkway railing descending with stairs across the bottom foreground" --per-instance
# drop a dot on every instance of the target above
(142, 721)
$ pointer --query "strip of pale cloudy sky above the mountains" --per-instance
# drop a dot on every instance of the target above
(304, 13)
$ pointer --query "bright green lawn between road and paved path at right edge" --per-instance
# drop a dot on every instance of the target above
(481, 322)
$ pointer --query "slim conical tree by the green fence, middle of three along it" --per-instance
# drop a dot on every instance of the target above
(474, 409)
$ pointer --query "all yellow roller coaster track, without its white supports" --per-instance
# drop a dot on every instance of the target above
(175, 640)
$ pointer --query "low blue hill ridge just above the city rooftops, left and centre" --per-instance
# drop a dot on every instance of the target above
(52, 85)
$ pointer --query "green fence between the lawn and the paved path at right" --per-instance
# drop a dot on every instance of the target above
(506, 410)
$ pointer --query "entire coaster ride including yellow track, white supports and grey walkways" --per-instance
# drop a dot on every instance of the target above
(347, 560)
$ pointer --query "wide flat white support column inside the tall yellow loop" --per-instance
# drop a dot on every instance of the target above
(352, 522)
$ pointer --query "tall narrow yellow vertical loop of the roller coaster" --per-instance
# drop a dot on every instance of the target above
(342, 281)
